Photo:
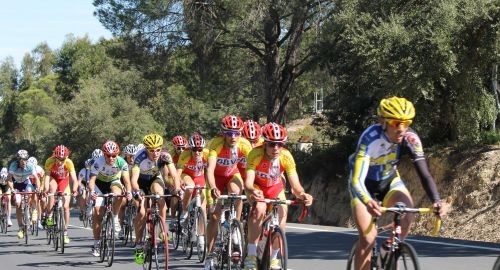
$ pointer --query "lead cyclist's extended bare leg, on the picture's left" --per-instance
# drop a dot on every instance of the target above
(363, 220)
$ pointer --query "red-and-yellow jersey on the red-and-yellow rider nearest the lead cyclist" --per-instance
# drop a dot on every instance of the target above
(268, 170)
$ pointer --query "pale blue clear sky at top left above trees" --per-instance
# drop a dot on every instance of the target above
(26, 23)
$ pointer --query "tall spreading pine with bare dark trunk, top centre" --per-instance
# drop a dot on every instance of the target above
(271, 31)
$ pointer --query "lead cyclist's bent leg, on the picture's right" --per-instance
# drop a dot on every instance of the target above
(399, 193)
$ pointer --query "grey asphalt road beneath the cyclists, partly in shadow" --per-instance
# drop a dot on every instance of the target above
(310, 247)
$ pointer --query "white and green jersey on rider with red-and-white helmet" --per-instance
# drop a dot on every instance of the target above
(109, 173)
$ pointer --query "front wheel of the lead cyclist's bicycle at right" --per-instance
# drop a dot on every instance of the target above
(403, 258)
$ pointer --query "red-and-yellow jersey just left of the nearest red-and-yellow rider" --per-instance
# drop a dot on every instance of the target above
(229, 159)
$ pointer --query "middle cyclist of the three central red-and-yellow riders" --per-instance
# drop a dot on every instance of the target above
(226, 159)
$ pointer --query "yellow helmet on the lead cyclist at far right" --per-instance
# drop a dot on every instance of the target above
(396, 108)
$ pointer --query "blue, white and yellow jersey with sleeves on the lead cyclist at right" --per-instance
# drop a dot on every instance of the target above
(376, 160)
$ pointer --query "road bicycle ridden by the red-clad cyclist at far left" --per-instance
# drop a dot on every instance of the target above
(55, 232)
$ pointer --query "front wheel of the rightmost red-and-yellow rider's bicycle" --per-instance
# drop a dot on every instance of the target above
(277, 240)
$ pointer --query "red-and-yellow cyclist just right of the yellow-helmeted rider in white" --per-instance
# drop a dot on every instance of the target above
(191, 167)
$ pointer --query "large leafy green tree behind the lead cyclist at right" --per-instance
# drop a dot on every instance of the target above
(436, 54)
